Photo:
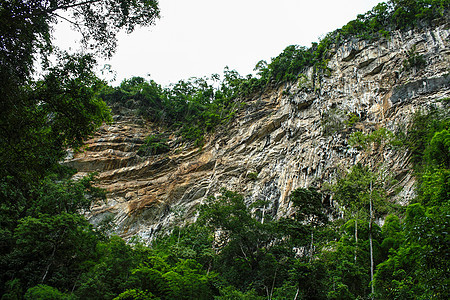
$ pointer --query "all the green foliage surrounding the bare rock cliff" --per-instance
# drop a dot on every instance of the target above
(48, 250)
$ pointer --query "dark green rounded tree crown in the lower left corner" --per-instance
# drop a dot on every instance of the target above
(51, 250)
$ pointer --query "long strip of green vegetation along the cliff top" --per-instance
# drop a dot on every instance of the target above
(196, 106)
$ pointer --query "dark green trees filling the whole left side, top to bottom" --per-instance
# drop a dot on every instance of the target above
(46, 244)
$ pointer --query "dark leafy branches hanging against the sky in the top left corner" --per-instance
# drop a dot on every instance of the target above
(26, 26)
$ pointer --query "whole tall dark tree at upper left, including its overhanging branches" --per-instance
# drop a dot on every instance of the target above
(41, 118)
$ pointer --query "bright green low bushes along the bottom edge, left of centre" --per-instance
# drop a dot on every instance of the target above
(145, 274)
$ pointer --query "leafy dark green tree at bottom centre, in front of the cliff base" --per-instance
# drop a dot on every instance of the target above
(249, 252)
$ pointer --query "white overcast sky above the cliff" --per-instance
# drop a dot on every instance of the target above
(200, 37)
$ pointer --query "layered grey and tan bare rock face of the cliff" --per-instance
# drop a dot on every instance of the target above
(292, 136)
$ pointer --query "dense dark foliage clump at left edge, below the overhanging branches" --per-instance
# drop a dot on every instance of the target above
(37, 126)
